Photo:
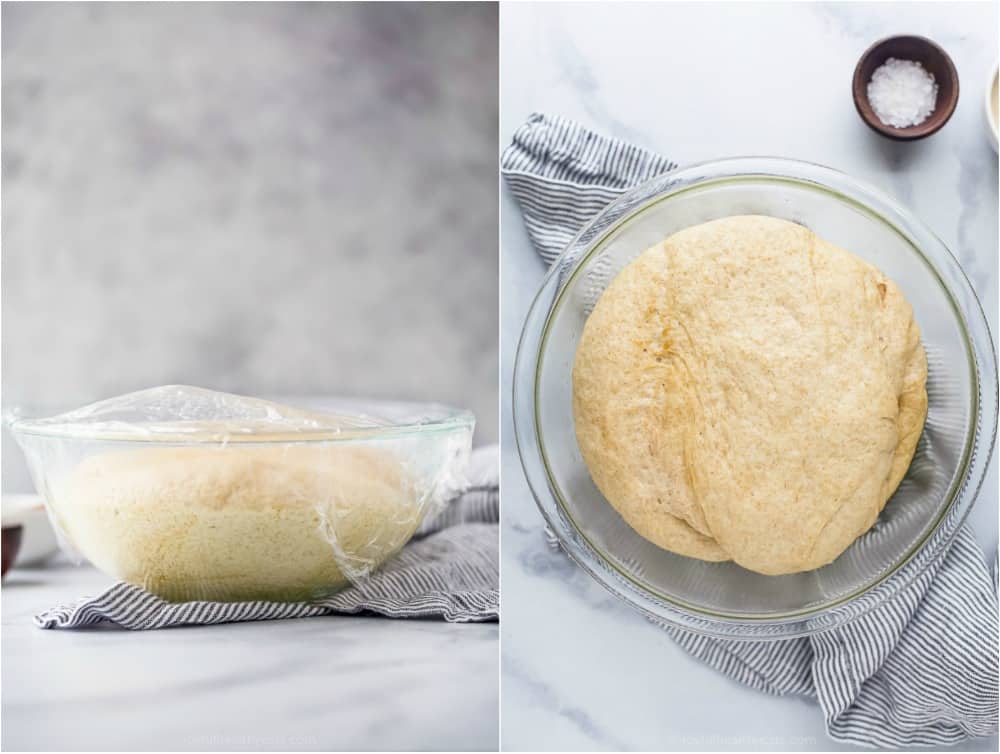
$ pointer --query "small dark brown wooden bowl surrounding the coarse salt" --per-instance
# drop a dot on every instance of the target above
(932, 58)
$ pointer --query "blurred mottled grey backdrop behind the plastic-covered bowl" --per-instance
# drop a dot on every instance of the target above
(276, 199)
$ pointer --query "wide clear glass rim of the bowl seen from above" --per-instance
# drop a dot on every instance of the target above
(979, 347)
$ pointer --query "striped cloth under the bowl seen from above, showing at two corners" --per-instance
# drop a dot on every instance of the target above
(918, 670)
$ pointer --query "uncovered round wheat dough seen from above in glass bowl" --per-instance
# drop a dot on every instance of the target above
(745, 390)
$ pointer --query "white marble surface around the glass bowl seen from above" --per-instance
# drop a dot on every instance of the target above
(579, 670)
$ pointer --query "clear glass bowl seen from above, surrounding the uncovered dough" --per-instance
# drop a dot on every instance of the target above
(919, 521)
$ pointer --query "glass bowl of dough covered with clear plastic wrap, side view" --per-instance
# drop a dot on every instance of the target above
(195, 494)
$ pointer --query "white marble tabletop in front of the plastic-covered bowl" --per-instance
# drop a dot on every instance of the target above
(317, 684)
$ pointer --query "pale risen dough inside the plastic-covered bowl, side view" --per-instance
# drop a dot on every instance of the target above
(238, 522)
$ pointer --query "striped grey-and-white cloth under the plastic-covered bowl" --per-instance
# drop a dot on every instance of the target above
(449, 570)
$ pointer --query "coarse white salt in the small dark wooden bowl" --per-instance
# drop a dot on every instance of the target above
(902, 93)
